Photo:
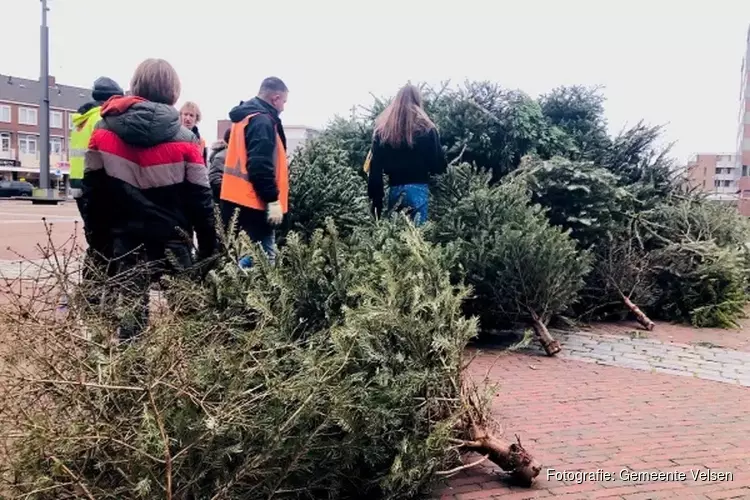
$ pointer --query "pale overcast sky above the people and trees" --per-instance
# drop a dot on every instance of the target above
(662, 61)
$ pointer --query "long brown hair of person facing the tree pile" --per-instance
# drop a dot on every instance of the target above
(403, 118)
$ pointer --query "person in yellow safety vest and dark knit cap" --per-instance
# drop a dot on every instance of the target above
(84, 121)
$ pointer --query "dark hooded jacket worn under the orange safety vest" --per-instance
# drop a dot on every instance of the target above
(260, 142)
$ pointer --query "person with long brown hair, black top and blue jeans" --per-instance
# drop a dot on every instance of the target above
(406, 148)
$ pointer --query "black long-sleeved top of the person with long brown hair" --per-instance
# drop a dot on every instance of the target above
(404, 164)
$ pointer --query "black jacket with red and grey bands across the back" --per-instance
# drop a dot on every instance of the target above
(144, 179)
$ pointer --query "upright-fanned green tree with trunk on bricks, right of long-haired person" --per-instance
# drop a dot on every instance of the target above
(520, 267)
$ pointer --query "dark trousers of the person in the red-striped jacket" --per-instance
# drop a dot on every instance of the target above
(138, 266)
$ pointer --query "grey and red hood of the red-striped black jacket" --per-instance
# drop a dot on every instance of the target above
(139, 122)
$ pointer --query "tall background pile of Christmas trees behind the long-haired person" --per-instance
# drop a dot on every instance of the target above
(546, 215)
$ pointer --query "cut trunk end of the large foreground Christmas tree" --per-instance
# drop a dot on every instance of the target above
(512, 458)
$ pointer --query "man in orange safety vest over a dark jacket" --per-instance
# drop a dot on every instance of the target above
(256, 174)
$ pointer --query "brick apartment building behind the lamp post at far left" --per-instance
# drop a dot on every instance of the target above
(19, 126)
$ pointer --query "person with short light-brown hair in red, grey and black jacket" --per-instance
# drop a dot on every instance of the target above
(146, 187)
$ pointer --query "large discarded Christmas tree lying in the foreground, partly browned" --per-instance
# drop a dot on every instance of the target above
(338, 372)
